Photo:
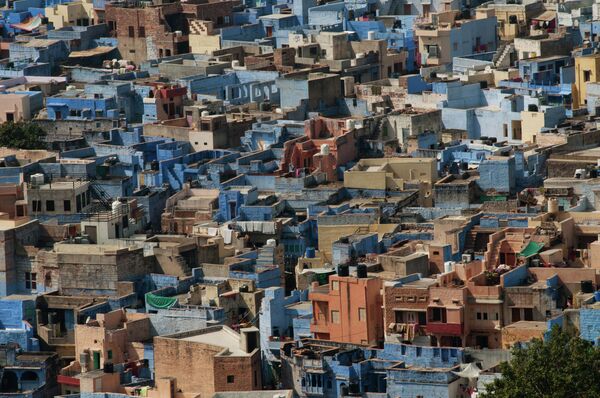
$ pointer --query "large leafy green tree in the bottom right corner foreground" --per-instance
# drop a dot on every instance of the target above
(561, 366)
